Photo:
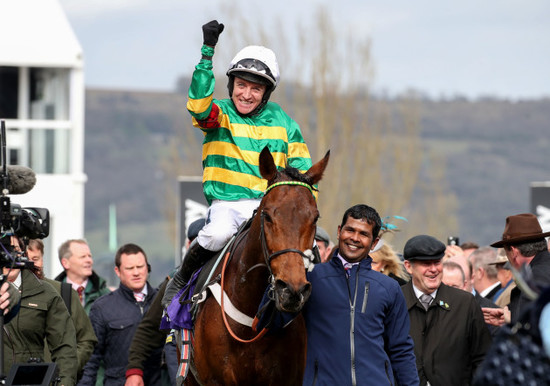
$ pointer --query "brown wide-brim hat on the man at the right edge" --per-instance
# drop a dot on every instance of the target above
(521, 228)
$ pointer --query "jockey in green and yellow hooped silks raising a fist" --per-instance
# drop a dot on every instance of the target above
(235, 132)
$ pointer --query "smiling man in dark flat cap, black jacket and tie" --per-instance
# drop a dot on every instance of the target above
(447, 326)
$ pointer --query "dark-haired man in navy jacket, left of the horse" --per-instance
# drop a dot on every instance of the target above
(115, 318)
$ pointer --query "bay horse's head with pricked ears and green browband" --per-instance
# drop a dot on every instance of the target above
(289, 215)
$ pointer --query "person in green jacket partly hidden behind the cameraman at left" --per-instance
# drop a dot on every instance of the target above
(85, 336)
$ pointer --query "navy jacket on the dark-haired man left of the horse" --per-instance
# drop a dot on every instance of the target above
(115, 318)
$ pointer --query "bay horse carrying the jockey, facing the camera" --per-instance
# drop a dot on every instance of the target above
(231, 353)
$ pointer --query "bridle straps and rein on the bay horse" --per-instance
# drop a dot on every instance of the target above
(268, 258)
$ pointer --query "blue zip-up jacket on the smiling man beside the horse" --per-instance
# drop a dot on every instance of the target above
(358, 328)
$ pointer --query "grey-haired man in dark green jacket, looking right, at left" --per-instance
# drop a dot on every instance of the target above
(77, 262)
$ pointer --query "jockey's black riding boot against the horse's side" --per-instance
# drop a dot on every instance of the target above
(195, 258)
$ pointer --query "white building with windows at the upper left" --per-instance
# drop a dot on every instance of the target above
(42, 103)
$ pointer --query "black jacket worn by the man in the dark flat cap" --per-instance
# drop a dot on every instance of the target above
(450, 339)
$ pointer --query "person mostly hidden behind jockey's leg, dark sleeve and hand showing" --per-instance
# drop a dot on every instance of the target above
(148, 337)
